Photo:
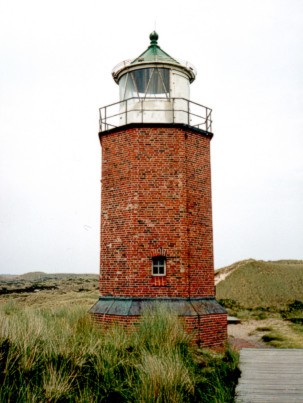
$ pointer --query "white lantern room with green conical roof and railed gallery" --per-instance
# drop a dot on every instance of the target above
(154, 88)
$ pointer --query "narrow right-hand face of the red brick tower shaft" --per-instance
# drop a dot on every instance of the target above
(199, 216)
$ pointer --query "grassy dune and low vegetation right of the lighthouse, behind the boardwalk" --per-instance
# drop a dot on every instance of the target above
(268, 291)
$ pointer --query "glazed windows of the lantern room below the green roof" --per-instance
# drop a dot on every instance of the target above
(145, 83)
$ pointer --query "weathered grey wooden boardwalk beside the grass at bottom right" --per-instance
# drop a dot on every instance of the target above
(270, 375)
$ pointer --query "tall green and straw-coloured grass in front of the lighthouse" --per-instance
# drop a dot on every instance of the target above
(55, 354)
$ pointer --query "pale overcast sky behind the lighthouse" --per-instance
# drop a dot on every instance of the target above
(56, 59)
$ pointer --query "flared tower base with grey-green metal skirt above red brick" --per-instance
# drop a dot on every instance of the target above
(203, 318)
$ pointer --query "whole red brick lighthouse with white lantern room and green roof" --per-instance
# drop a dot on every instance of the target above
(156, 207)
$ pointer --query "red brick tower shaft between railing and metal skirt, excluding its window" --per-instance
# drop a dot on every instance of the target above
(156, 199)
